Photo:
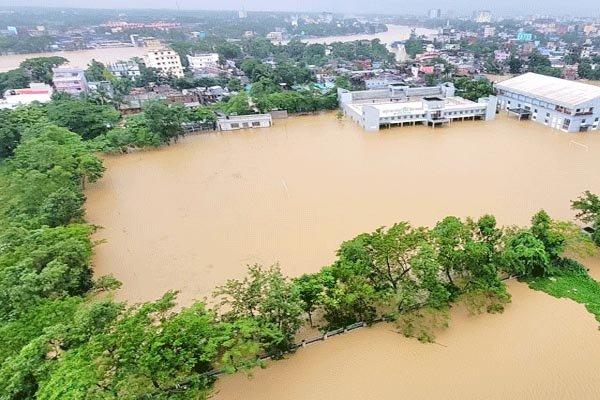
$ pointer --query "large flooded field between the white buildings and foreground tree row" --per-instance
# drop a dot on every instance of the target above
(190, 216)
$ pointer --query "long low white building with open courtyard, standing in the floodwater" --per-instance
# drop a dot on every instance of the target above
(403, 105)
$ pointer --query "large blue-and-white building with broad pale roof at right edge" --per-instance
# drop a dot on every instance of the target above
(558, 103)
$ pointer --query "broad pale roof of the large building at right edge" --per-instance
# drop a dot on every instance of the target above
(548, 88)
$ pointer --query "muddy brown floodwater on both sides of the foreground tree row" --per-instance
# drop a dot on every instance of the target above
(192, 215)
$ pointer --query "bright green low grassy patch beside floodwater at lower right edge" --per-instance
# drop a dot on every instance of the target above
(574, 284)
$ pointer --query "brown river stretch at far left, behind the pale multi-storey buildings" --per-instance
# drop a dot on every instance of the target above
(79, 58)
